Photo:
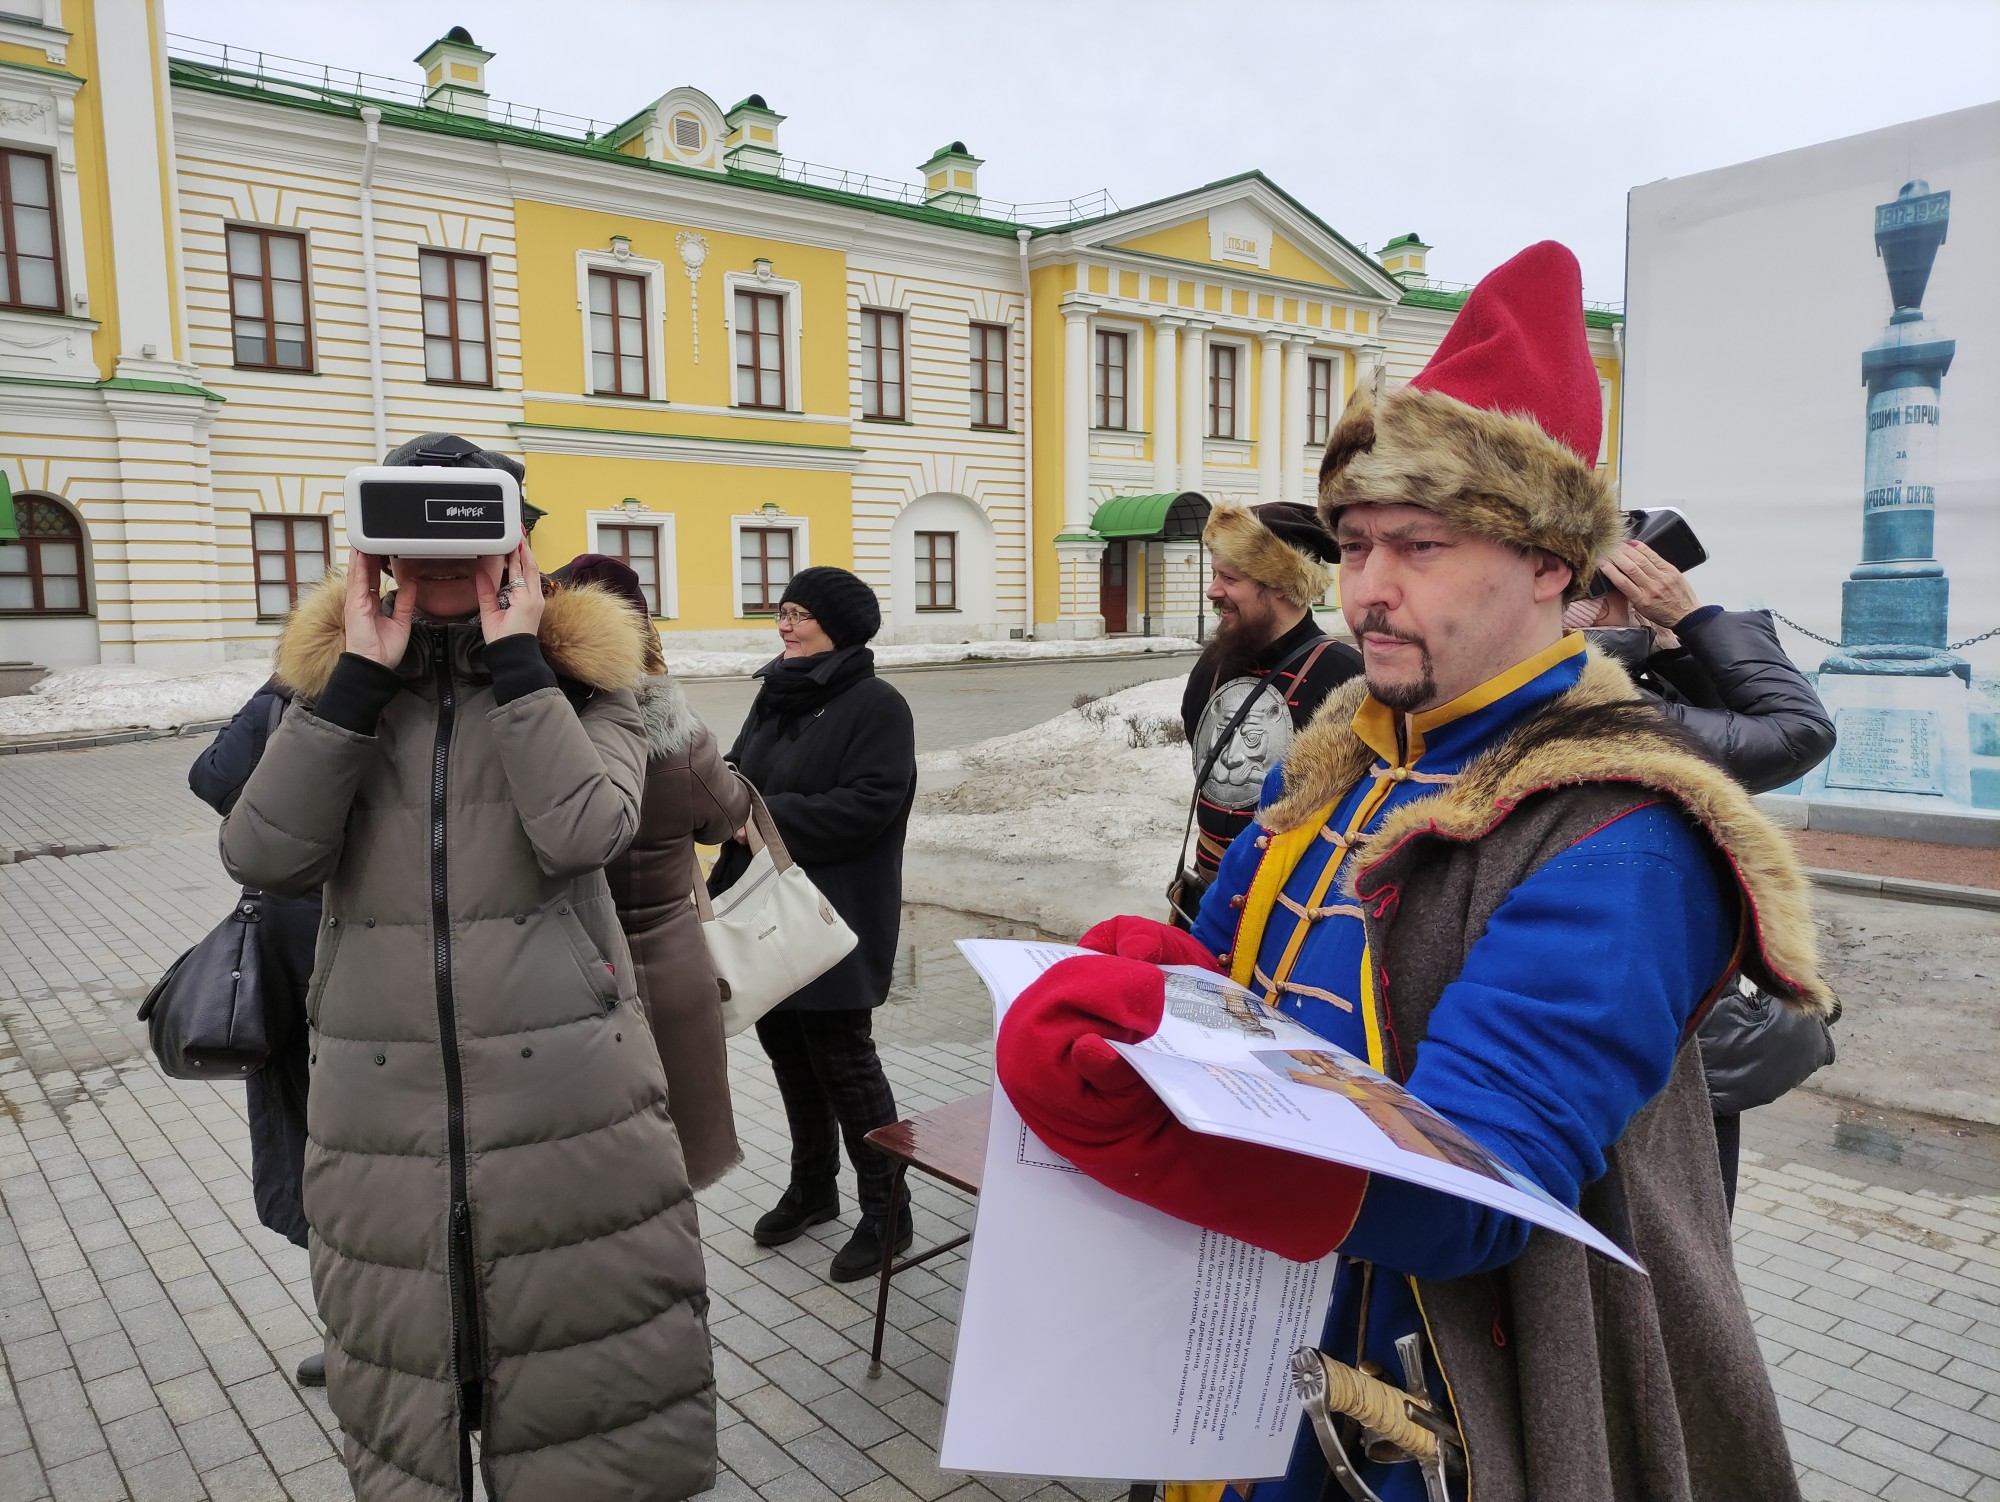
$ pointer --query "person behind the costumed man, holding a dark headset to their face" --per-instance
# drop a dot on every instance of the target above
(1731, 685)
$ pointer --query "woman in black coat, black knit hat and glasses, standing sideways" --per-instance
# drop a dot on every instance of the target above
(833, 751)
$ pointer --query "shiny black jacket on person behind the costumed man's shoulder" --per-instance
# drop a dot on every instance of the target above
(1737, 691)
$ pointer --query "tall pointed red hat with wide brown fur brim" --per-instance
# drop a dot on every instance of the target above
(1499, 433)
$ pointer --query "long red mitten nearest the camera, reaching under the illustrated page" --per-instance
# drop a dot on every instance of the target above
(1085, 1101)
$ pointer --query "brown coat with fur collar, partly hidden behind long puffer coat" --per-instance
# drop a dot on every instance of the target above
(691, 797)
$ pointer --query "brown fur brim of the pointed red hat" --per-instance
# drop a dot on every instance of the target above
(1491, 473)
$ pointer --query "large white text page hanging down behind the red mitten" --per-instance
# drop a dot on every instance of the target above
(1103, 1339)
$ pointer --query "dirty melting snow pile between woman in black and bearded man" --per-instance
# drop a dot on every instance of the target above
(1103, 783)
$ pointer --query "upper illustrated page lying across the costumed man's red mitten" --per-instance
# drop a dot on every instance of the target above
(1231, 1067)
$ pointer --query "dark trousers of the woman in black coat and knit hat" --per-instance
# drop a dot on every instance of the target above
(833, 1089)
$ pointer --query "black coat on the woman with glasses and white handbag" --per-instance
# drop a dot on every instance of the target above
(839, 781)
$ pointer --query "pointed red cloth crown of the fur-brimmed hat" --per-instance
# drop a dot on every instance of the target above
(1519, 347)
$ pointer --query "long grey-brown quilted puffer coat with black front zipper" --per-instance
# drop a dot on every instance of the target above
(503, 1233)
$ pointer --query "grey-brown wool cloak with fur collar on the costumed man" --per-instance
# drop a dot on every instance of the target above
(1609, 1387)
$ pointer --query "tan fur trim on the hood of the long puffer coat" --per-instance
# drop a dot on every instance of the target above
(587, 635)
